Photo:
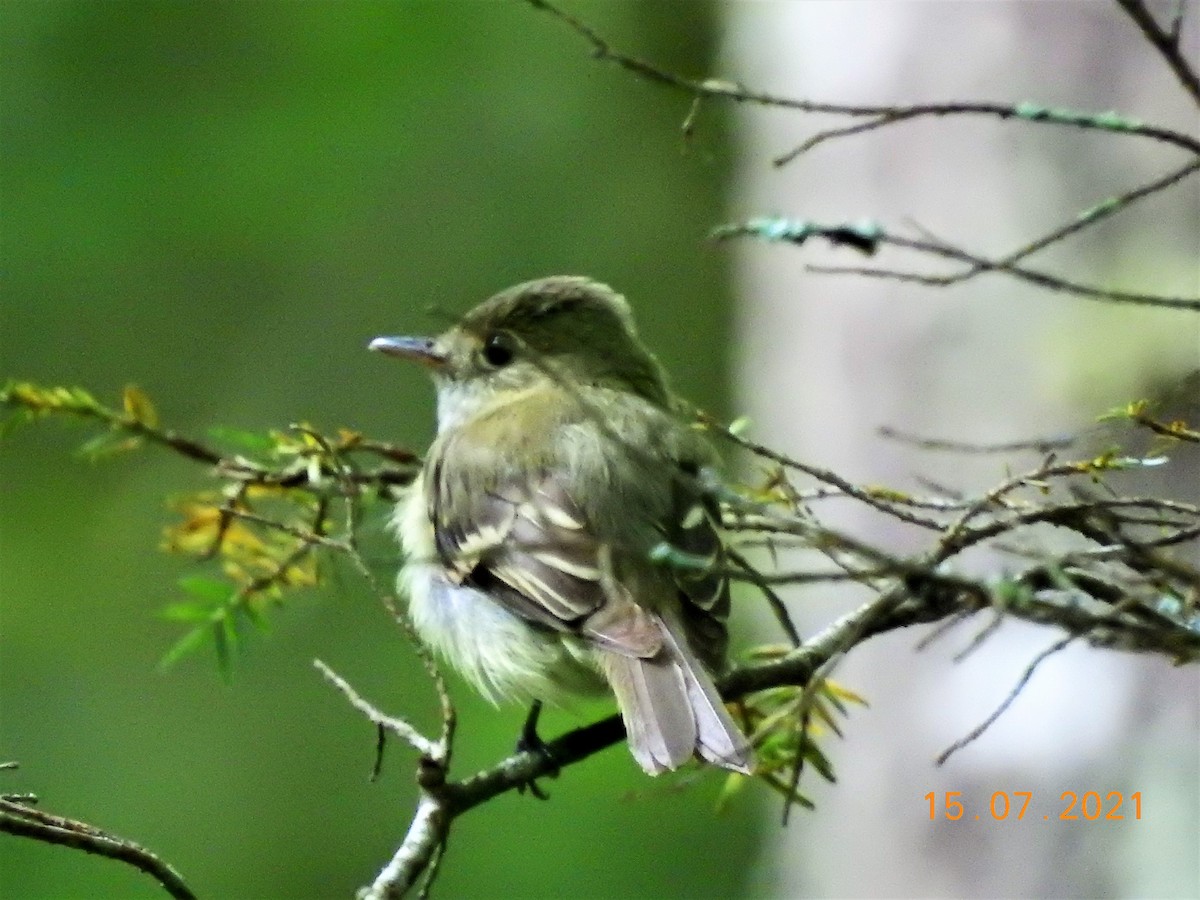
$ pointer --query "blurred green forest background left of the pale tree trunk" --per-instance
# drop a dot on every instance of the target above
(223, 203)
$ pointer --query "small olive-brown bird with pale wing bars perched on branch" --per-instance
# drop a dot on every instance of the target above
(562, 461)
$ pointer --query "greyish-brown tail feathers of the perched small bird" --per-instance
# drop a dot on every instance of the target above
(673, 710)
